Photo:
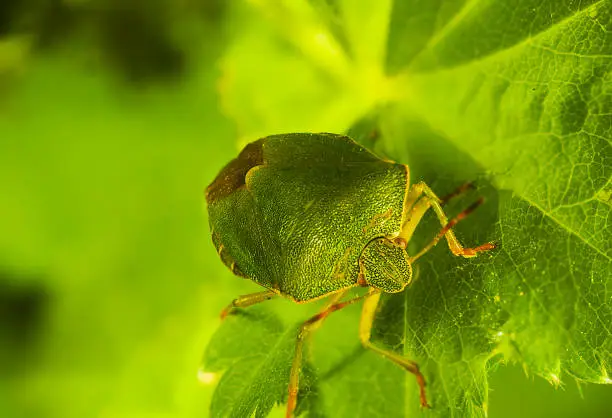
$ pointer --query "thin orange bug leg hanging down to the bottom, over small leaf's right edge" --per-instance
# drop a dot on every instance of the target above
(307, 327)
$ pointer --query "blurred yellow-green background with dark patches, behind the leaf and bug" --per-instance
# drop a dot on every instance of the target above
(113, 119)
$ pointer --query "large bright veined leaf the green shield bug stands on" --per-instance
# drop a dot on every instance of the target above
(515, 94)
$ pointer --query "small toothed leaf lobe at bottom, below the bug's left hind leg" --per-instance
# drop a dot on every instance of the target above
(257, 350)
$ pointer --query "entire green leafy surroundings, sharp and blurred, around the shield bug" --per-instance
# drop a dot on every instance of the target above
(110, 286)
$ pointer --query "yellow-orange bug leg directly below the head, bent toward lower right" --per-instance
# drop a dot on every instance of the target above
(365, 329)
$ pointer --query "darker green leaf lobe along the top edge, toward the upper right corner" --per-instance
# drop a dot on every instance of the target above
(450, 33)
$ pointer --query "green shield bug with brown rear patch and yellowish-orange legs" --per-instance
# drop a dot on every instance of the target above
(312, 215)
